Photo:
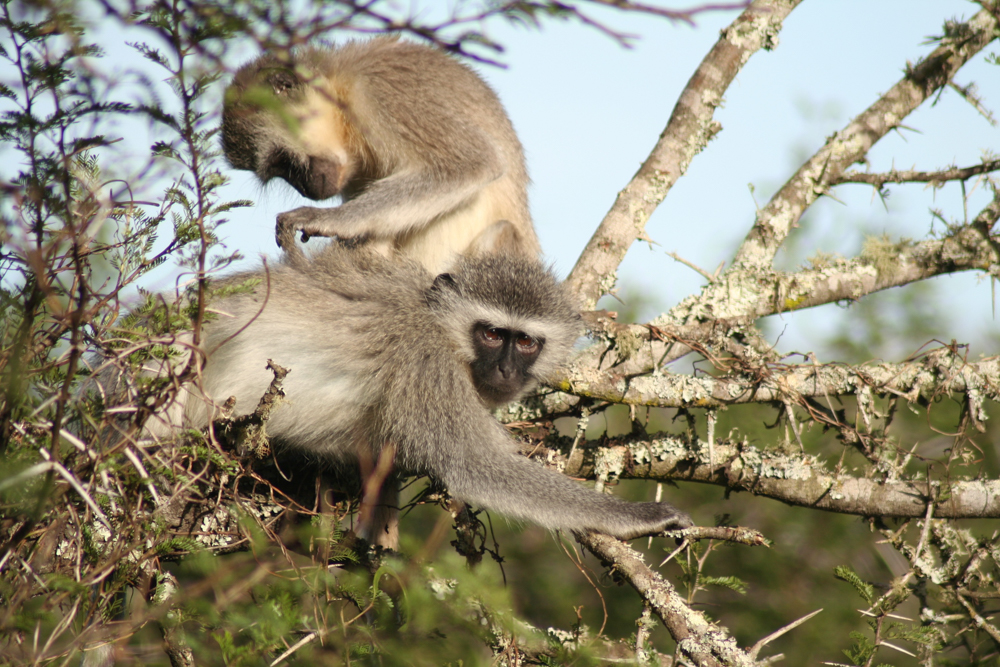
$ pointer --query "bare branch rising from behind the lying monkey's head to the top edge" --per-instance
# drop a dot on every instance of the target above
(687, 132)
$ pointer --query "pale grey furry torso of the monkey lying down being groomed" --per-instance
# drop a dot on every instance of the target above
(346, 323)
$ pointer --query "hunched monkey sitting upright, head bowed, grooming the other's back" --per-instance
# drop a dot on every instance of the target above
(416, 144)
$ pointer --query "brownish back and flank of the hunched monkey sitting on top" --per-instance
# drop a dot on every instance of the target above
(415, 101)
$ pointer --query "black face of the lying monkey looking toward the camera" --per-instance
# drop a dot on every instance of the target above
(504, 358)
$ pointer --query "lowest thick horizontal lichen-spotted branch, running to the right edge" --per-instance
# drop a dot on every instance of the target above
(796, 479)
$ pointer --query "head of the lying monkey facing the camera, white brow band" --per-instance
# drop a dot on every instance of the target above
(514, 324)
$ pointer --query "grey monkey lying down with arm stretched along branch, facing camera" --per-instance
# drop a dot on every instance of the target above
(383, 355)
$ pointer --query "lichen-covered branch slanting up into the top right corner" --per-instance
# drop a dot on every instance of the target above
(851, 144)
